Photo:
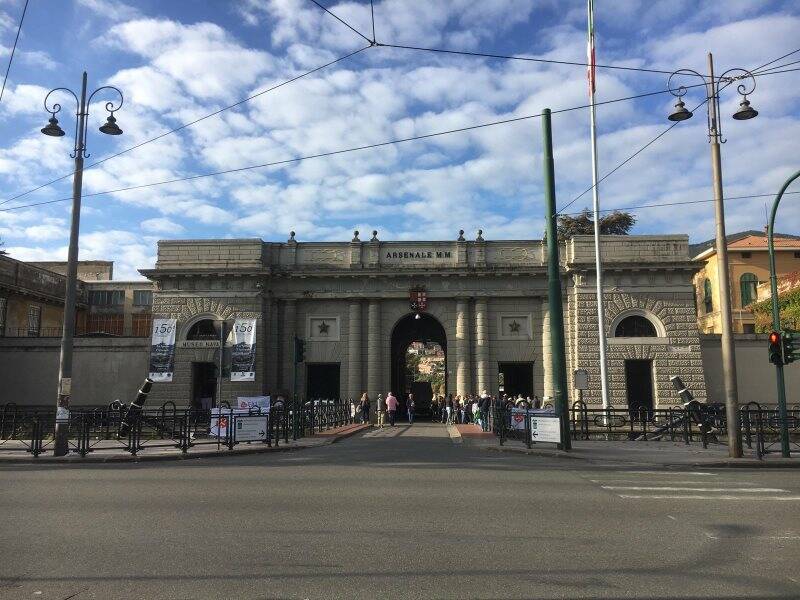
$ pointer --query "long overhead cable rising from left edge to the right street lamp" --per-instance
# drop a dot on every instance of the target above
(346, 150)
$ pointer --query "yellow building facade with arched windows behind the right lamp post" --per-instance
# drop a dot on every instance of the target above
(748, 262)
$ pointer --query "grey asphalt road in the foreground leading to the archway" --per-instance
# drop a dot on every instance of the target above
(400, 513)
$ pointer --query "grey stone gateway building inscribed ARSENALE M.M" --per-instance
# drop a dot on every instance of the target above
(484, 302)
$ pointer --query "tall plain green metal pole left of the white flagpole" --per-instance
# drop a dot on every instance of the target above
(558, 362)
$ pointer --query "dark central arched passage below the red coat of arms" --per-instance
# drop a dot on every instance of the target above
(412, 328)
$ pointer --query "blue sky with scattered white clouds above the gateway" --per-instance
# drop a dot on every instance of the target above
(177, 61)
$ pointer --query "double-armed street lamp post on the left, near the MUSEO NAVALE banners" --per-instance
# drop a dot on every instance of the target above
(52, 129)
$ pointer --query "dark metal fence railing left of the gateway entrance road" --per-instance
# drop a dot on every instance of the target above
(112, 428)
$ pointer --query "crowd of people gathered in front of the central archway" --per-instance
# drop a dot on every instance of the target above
(450, 409)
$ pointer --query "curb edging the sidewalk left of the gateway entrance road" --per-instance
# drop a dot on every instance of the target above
(130, 458)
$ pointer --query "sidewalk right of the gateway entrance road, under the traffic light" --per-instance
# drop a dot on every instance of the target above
(629, 453)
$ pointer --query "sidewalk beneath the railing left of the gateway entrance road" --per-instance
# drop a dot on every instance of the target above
(110, 451)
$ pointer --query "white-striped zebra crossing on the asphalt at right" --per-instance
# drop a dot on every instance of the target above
(661, 485)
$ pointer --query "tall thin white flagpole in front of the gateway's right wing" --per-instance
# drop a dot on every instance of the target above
(601, 326)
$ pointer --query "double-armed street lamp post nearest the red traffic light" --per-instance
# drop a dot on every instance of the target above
(715, 138)
